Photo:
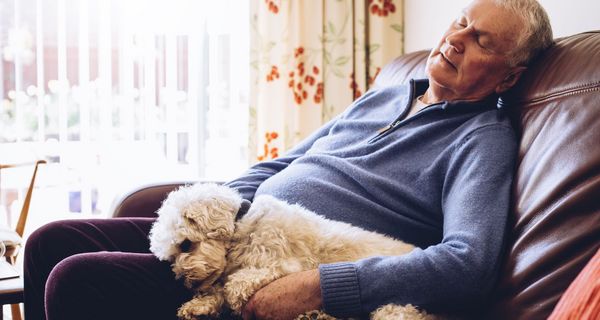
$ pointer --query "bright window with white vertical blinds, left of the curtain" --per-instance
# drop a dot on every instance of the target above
(116, 93)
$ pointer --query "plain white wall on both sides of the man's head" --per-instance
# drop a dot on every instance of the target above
(426, 20)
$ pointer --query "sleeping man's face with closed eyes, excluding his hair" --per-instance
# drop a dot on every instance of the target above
(469, 63)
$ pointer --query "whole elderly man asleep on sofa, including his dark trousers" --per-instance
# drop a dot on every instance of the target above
(430, 163)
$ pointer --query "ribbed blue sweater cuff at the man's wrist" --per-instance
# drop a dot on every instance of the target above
(340, 289)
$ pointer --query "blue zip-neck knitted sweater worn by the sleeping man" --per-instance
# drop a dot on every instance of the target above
(439, 179)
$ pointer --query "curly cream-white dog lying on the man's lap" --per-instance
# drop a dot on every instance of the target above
(226, 261)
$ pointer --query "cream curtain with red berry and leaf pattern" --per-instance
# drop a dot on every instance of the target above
(310, 59)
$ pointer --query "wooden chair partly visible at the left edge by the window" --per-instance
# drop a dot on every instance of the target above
(11, 290)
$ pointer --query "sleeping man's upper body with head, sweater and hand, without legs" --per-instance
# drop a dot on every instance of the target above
(437, 174)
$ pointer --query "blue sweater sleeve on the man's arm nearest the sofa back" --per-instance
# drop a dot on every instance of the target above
(460, 270)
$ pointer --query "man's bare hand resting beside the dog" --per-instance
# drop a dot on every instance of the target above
(286, 298)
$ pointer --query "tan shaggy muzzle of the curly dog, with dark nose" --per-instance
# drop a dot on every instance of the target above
(200, 264)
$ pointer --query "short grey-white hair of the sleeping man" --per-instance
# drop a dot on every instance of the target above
(537, 33)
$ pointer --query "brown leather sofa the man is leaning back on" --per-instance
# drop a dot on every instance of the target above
(555, 220)
